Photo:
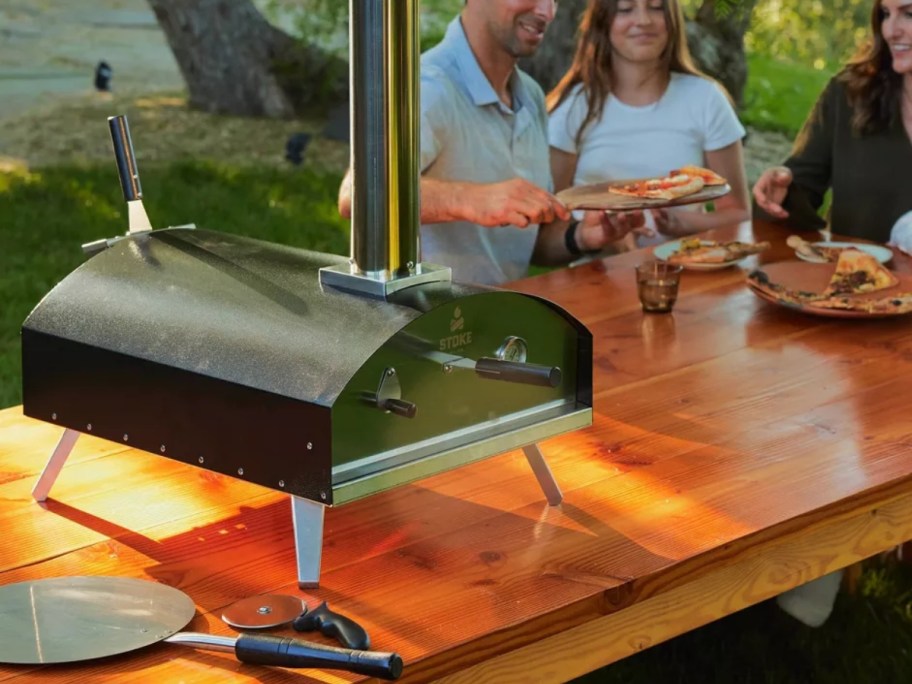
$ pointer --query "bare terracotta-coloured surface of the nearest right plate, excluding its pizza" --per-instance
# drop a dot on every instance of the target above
(811, 277)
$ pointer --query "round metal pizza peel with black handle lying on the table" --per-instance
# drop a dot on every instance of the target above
(70, 619)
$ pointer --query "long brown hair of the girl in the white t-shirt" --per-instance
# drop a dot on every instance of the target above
(592, 62)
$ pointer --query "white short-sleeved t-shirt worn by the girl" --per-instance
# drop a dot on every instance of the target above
(692, 117)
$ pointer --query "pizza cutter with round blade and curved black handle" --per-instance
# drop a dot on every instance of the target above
(272, 610)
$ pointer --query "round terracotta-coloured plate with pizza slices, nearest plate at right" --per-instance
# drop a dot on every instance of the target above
(856, 286)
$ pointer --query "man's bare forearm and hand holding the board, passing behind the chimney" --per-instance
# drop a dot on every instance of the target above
(512, 202)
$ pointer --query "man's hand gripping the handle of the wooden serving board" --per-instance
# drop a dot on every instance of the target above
(514, 202)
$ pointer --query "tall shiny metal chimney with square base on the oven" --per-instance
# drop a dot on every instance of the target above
(384, 82)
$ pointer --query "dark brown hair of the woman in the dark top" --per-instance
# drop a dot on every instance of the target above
(871, 84)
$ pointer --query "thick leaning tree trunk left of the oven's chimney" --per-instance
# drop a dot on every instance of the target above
(236, 62)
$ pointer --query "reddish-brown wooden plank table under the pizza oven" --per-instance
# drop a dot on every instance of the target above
(738, 449)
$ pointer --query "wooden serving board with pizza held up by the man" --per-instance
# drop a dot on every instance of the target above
(687, 185)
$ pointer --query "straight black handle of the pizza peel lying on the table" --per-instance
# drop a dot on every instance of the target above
(284, 652)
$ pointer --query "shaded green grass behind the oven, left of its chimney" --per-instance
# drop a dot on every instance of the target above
(47, 215)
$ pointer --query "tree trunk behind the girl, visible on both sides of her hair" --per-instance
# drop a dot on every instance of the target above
(716, 39)
